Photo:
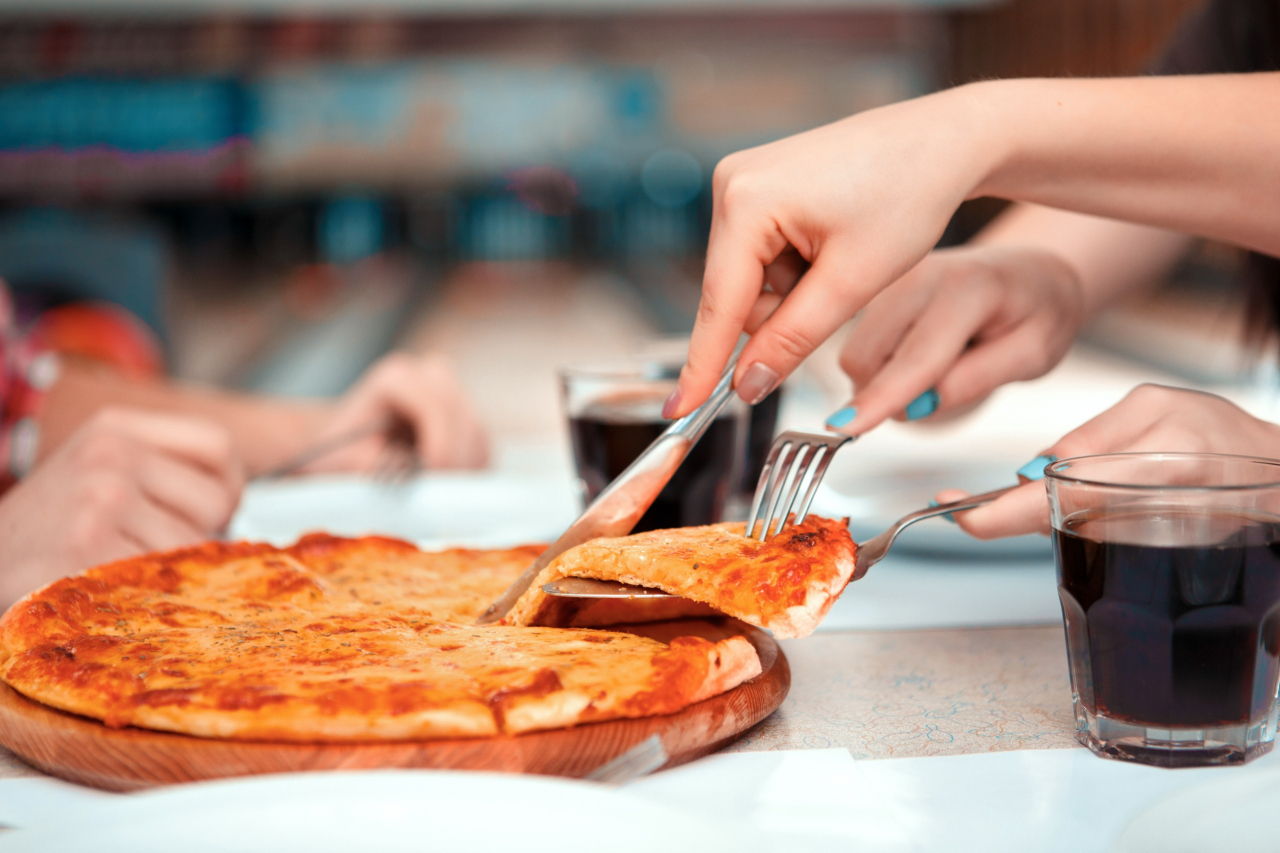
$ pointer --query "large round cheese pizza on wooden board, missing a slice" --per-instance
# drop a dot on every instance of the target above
(337, 640)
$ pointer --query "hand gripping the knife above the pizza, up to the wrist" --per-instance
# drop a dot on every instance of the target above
(826, 220)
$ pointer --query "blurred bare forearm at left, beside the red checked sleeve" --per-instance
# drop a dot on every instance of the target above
(267, 431)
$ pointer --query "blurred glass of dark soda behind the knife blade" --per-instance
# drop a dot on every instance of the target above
(615, 413)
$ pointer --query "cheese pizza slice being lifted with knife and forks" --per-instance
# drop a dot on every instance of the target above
(785, 585)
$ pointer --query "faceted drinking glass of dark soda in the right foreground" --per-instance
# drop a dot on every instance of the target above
(1169, 576)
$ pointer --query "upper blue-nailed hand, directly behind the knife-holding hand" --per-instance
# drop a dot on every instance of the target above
(956, 329)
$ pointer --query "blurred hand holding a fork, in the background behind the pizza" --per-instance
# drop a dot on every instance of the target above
(424, 393)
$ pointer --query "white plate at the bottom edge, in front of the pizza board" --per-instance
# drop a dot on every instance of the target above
(385, 811)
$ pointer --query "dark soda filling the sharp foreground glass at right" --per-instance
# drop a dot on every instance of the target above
(1172, 615)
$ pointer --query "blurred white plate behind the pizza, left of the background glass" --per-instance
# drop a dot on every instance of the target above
(437, 510)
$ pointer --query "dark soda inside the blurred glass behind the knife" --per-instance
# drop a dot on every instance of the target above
(606, 440)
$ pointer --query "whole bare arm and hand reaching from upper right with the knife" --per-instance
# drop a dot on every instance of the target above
(863, 200)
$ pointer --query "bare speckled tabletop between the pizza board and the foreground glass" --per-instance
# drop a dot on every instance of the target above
(895, 695)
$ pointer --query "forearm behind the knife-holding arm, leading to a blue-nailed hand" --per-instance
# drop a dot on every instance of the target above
(1112, 258)
